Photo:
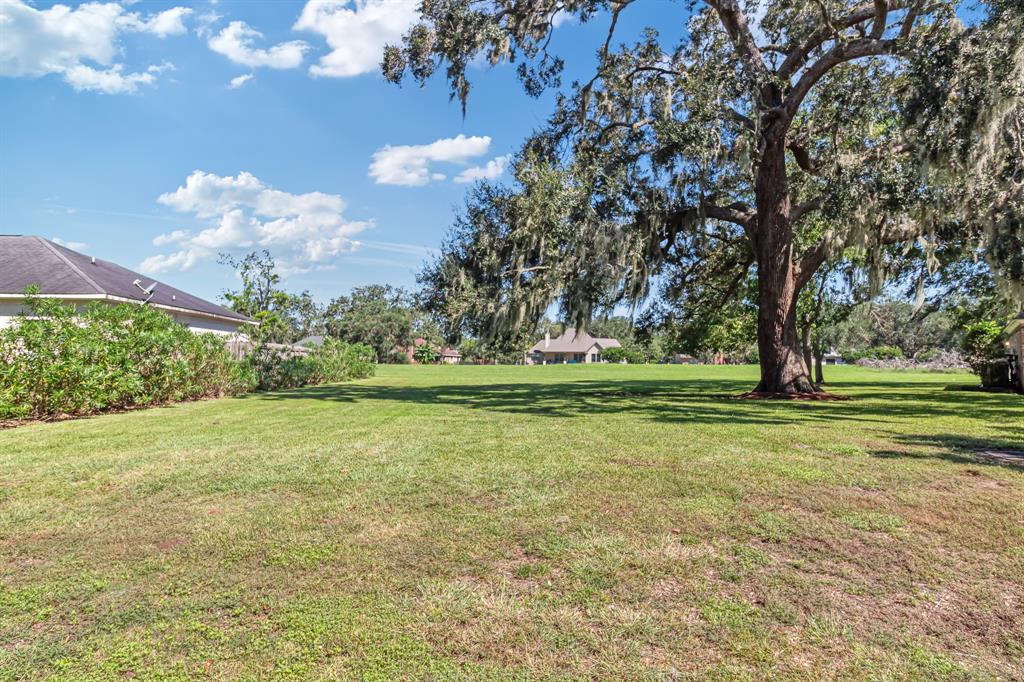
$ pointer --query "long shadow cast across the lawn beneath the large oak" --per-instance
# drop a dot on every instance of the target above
(686, 401)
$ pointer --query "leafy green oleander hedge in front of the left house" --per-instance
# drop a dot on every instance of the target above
(59, 362)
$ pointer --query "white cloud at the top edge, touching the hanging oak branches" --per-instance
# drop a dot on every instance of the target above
(357, 31)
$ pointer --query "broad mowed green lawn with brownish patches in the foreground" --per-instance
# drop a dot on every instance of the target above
(522, 523)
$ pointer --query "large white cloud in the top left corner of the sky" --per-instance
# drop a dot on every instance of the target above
(81, 45)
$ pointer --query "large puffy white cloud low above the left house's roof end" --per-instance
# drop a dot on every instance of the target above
(303, 231)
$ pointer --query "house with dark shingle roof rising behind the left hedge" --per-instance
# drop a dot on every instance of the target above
(75, 278)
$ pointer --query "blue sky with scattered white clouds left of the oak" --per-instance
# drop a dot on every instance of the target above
(121, 132)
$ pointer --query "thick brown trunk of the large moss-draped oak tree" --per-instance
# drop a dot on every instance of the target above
(783, 369)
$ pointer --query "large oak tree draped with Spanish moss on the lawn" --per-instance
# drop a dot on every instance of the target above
(776, 136)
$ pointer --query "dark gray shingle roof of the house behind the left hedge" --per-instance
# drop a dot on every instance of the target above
(59, 271)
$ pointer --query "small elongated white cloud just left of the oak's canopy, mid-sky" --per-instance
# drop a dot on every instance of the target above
(409, 164)
